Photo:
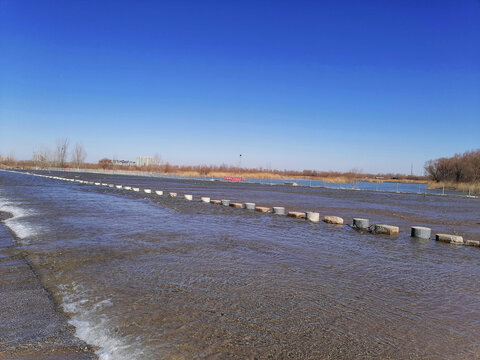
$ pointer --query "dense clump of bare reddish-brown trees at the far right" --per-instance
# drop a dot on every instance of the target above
(458, 168)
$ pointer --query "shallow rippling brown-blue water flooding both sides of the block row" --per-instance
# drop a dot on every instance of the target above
(149, 277)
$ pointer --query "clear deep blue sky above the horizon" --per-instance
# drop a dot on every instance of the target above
(326, 85)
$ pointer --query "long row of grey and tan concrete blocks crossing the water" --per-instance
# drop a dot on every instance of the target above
(358, 223)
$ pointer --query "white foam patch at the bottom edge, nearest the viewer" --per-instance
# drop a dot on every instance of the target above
(94, 327)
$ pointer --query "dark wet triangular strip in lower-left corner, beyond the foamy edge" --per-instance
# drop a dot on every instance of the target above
(31, 325)
